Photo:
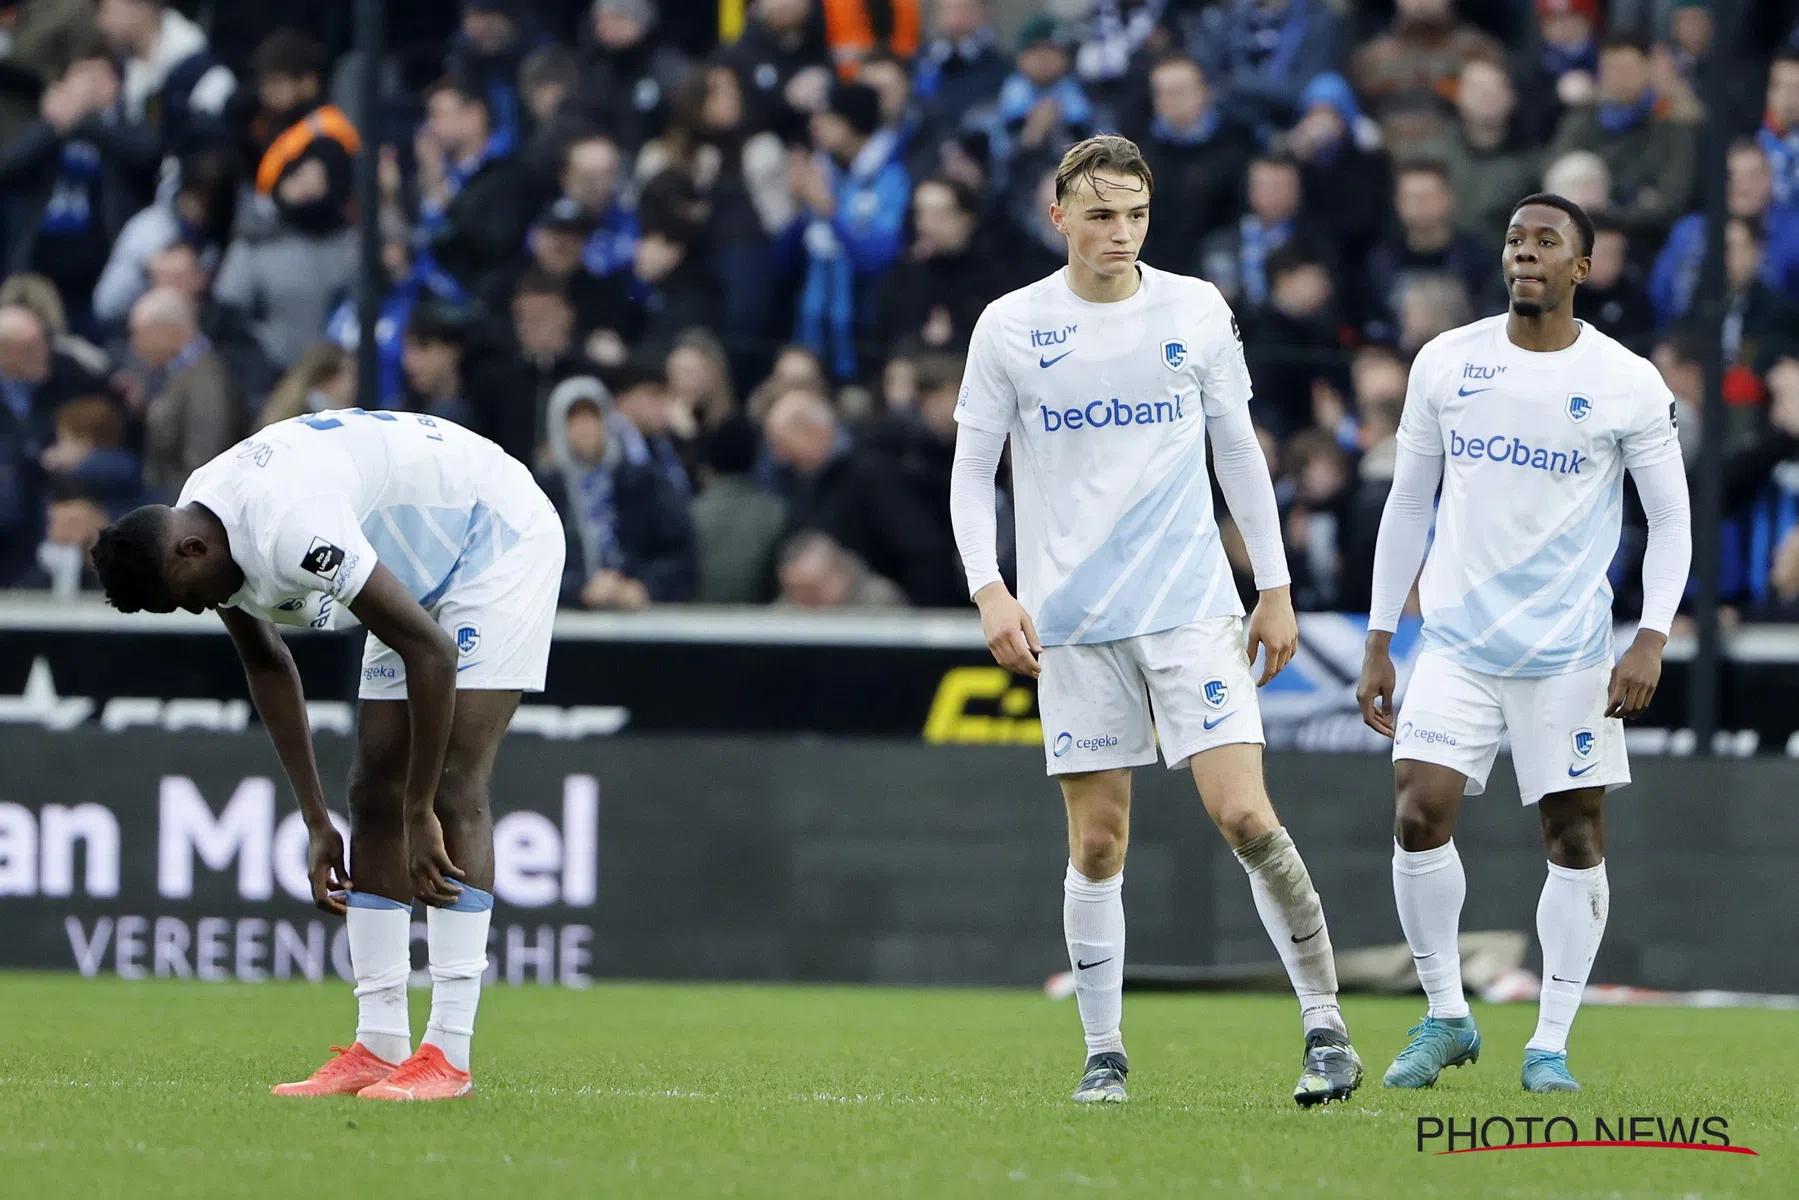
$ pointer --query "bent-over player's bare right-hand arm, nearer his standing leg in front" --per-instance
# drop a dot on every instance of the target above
(404, 627)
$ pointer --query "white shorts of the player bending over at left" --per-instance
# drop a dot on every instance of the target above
(501, 620)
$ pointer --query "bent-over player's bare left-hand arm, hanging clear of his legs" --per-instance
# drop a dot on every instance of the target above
(276, 692)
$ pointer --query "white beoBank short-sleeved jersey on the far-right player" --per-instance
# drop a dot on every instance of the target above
(1535, 451)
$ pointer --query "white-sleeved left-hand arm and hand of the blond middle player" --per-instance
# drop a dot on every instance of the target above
(983, 416)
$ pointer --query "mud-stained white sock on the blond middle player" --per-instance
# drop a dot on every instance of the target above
(1294, 918)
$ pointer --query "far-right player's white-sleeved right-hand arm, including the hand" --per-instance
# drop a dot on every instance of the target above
(1660, 472)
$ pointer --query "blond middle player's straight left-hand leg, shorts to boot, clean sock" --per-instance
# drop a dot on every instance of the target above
(1096, 728)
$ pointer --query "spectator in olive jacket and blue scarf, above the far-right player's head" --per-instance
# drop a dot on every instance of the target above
(1651, 152)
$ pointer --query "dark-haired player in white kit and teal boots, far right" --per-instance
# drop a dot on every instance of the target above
(1530, 422)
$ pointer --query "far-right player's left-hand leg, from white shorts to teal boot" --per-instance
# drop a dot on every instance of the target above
(1444, 749)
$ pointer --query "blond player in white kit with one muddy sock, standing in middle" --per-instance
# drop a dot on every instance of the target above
(1109, 379)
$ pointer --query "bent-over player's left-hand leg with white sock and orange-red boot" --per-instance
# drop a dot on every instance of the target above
(380, 911)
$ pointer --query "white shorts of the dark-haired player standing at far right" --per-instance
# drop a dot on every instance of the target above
(1561, 737)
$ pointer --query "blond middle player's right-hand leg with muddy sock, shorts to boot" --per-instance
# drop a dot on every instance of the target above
(1208, 717)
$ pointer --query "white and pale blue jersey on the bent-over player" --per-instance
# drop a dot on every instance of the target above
(312, 505)
